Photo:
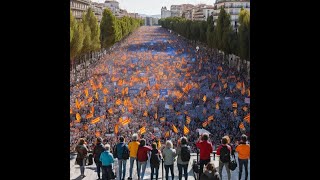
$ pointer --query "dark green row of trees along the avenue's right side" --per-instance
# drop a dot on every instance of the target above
(222, 36)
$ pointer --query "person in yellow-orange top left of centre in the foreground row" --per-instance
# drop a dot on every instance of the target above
(133, 148)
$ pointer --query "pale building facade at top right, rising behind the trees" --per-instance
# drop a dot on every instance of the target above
(232, 7)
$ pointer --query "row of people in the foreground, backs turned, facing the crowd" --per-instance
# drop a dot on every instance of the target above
(137, 150)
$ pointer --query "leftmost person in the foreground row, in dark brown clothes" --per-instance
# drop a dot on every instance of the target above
(82, 151)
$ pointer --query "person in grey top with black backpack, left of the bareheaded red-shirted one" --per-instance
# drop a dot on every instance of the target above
(183, 152)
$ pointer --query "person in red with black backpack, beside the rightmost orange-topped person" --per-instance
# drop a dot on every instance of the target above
(224, 151)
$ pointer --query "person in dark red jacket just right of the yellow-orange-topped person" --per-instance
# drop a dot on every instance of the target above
(142, 157)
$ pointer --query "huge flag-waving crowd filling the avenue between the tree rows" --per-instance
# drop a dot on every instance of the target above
(156, 81)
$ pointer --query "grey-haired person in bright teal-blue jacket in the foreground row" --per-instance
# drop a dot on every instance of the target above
(106, 159)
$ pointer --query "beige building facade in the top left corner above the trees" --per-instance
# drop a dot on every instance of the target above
(79, 7)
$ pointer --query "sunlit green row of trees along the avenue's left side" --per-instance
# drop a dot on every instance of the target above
(88, 40)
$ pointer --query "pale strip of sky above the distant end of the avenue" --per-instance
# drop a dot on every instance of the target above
(153, 7)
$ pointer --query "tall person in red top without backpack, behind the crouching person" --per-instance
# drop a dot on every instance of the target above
(206, 149)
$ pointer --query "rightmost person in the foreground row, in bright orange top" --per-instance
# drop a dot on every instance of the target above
(243, 150)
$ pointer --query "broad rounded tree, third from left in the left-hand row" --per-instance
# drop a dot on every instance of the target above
(107, 29)
